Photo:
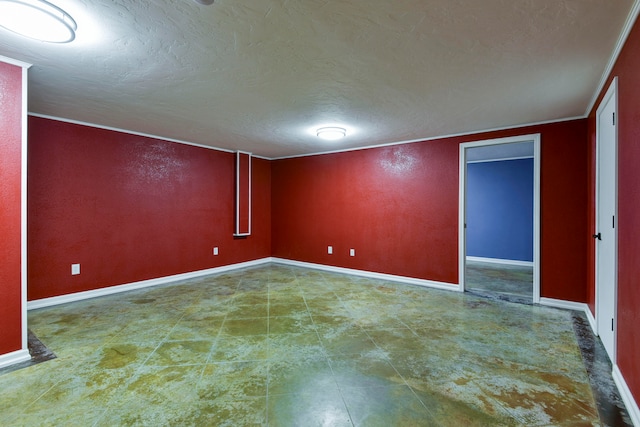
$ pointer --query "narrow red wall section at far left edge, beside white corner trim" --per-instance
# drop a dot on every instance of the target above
(10, 207)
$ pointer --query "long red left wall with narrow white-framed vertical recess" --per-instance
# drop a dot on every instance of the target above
(129, 208)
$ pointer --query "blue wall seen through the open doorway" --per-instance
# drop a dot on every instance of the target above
(500, 209)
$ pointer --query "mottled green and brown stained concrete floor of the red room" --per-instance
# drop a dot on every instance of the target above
(285, 346)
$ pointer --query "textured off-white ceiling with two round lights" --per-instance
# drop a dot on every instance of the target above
(262, 75)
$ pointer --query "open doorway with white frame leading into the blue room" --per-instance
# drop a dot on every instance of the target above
(499, 218)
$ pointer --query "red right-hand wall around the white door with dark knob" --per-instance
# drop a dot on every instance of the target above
(627, 69)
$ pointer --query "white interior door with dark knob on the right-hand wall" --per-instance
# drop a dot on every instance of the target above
(606, 196)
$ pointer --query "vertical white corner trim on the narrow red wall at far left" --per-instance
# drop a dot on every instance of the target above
(23, 209)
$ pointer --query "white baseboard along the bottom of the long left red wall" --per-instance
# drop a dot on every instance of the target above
(79, 296)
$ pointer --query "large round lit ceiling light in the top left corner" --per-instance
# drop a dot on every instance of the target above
(37, 19)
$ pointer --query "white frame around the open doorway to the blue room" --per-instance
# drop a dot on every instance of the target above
(462, 241)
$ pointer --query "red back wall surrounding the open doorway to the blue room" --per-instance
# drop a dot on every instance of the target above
(398, 207)
